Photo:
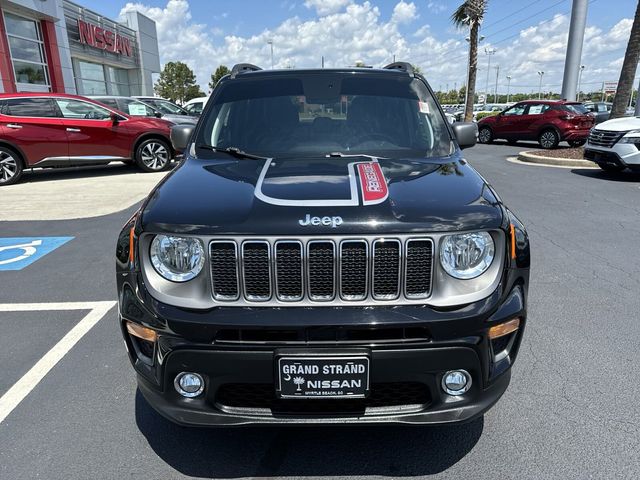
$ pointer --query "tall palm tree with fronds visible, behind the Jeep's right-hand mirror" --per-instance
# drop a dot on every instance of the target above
(470, 14)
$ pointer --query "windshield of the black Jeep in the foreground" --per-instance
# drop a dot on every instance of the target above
(318, 114)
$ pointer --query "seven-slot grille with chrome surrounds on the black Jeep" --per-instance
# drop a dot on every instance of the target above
(321, 270)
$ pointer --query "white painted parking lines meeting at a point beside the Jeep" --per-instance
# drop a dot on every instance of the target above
(12, 398)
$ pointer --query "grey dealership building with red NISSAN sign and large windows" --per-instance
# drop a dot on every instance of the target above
(59, 46)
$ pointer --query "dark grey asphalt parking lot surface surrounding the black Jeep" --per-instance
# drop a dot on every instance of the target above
(69, 407)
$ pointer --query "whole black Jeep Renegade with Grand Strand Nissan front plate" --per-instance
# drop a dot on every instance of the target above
(323, 254)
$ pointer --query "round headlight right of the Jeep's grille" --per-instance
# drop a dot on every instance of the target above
(467, 255)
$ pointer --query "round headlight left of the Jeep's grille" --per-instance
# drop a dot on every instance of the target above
(178, 259)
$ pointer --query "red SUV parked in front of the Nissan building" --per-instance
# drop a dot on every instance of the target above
(57, 130)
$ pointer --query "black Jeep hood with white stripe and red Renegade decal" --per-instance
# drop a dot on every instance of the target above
(321, 195)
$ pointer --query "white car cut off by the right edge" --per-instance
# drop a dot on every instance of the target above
(615, 144)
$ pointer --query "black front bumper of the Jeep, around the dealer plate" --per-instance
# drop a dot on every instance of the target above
(409, 347)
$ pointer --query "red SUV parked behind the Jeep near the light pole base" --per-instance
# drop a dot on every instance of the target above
(548, 122)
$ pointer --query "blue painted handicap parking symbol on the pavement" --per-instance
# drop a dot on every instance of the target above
(19, 252)
